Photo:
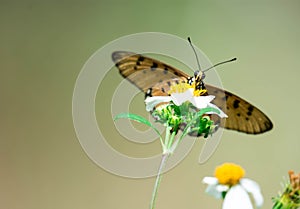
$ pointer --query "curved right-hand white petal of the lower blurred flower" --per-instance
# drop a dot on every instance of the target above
(253, 188)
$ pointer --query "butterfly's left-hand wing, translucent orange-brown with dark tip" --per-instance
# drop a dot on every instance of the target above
(151, 76)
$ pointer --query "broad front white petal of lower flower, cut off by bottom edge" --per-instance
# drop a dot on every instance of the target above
(237, 198)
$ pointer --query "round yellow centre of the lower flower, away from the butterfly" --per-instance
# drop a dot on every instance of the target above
(229, 173)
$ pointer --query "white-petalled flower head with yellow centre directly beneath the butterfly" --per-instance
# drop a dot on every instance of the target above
(182, 94)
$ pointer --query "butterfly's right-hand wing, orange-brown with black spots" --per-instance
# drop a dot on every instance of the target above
(242, 116)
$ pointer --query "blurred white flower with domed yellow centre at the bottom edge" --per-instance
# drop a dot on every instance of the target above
(229, 184)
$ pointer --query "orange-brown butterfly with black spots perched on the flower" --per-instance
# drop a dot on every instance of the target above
(155, 78)
